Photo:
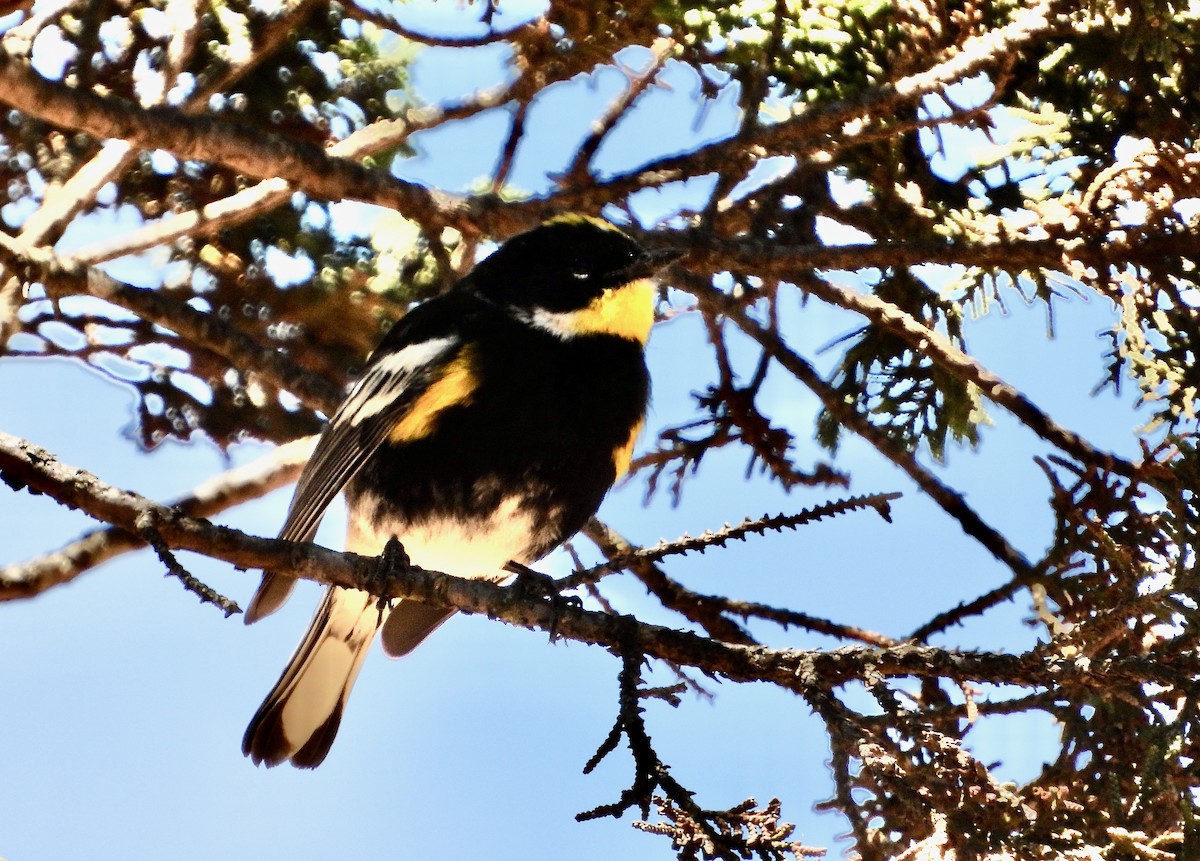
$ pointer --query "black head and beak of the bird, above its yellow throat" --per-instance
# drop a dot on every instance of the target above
(563, 266)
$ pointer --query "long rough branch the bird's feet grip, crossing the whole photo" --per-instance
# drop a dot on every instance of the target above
(802, 671)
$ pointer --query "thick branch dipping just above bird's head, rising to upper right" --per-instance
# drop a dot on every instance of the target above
(267, 156)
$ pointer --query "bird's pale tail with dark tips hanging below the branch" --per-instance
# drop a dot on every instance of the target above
(299, 718)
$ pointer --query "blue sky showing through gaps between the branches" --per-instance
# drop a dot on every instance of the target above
(127, 701)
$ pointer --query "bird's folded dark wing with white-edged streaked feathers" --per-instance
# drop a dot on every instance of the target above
(406, 363)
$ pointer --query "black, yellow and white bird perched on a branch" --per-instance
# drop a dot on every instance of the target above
(487, 428)
